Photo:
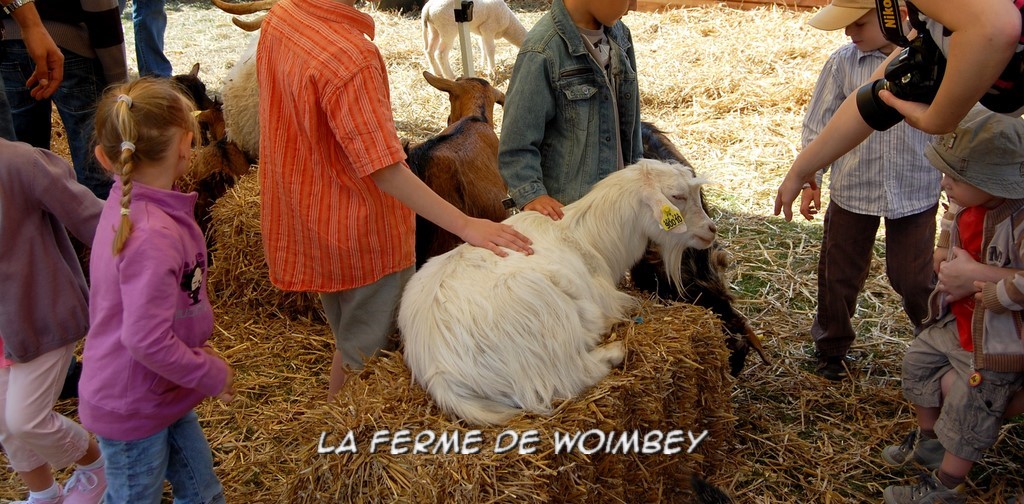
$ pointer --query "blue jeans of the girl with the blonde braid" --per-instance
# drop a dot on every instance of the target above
(180, 454)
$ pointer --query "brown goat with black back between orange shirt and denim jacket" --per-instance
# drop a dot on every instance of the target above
(461, 162)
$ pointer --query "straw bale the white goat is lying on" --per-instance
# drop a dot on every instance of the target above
(675, 377)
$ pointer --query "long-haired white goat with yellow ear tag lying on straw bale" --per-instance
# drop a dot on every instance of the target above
(490, 338)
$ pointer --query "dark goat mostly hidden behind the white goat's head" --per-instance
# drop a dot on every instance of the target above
(703, 271)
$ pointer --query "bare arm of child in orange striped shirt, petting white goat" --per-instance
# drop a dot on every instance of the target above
(407, 188)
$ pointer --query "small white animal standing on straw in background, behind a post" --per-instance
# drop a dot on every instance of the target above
(492, 20)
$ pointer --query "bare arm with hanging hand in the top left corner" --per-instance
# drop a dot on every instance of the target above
(50, 61)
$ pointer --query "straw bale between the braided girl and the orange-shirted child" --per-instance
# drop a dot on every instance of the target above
(240, 273)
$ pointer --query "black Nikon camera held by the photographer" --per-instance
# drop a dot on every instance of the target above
(915, 76)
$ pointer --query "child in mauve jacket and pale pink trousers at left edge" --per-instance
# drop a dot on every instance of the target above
(44, 315)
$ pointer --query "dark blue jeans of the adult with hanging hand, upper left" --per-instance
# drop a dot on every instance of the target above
(76, 101)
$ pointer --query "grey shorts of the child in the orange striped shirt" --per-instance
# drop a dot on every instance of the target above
(363, 319)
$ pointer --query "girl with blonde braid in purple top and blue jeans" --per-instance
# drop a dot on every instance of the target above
(147, 363)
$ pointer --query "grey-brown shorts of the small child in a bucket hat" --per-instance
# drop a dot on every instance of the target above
(971, 417)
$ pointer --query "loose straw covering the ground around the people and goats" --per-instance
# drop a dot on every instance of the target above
(731, 87)
